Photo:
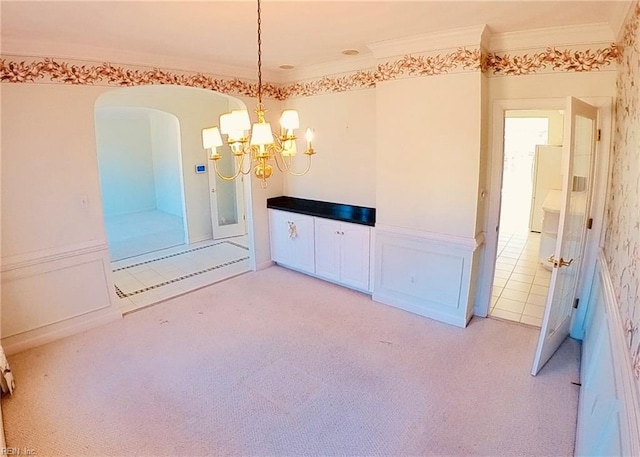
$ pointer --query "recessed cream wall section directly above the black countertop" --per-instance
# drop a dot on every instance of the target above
(344, 168)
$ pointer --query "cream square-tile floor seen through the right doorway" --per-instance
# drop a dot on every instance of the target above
(521, 283)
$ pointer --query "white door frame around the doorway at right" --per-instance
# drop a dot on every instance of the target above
(495, 159)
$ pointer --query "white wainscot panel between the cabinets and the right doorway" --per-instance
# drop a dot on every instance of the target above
(426, 274)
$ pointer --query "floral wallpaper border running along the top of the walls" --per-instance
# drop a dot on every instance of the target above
(460, 59)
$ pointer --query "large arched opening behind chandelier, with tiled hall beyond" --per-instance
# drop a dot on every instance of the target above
(161, 210)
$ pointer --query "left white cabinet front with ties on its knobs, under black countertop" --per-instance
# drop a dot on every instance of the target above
(292, 240)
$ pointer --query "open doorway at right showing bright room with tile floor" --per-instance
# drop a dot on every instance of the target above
(530, 180)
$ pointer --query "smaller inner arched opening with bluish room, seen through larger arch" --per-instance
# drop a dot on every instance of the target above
(141, 180)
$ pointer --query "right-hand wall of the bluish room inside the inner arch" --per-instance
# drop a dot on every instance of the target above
(167, 164)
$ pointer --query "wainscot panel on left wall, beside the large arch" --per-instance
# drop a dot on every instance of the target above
(51, 297)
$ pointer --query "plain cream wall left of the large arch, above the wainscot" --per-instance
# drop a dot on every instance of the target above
(49, 165)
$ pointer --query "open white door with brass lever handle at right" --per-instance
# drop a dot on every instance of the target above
(578, 151)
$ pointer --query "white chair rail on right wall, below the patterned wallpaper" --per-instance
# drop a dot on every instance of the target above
(623, 372)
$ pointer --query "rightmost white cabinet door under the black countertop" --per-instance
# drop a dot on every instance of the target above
(354, 258)
